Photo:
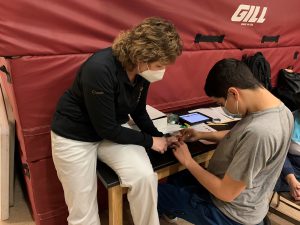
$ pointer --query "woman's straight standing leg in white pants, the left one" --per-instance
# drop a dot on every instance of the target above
(75, 163)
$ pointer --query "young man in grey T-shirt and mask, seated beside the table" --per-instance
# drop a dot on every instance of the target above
(247, 161)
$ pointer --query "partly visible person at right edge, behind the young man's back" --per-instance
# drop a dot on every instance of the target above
(290, 175)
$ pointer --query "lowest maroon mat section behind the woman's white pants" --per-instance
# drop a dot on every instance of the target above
(46, 193)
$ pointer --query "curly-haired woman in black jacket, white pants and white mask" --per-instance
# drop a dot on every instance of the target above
(91, 119)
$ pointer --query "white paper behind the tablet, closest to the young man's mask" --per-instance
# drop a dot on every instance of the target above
(216, 113)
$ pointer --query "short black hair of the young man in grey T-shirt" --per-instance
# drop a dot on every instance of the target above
(228, 73)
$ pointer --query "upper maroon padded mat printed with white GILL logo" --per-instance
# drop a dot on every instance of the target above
(64, 27)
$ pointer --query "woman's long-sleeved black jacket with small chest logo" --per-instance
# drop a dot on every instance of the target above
(100, 100)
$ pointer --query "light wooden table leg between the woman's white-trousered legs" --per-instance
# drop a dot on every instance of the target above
(115, 205)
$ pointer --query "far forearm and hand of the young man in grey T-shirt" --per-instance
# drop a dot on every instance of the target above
(191, 135)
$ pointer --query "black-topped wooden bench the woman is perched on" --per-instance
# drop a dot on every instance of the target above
(164, 165)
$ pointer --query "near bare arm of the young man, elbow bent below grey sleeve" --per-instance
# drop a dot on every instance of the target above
(226, 189)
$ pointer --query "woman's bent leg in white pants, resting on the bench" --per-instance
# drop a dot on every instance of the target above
(132, 165)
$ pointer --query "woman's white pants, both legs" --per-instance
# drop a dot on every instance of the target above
(75, 162)
